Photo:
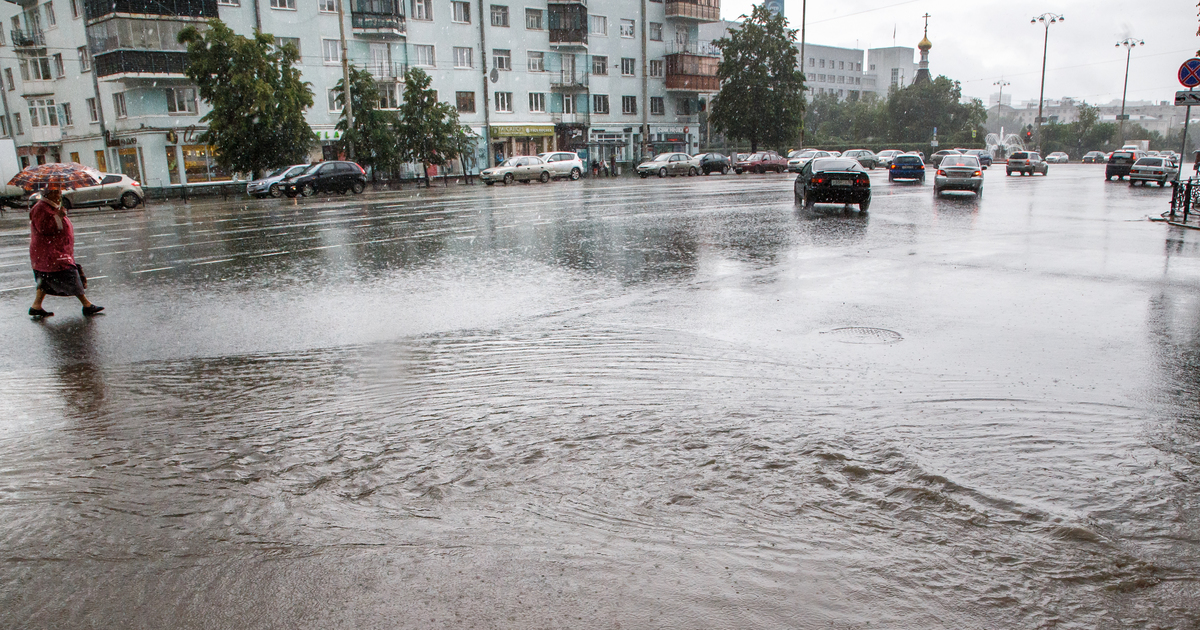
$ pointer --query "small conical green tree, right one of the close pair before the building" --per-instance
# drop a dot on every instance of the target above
(430, 133)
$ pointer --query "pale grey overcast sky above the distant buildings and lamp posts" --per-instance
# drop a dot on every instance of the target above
(985, 41)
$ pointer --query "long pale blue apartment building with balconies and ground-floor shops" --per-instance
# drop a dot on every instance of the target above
(101, 82)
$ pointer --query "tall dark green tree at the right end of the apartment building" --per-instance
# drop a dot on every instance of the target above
(763, 89)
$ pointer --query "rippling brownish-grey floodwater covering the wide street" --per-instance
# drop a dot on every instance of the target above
(611, 405)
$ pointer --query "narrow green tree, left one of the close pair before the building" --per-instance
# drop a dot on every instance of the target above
(375, 130)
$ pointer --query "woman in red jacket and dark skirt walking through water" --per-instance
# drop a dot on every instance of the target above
(52, 253)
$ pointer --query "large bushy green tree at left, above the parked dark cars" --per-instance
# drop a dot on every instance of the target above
(256, 94)
